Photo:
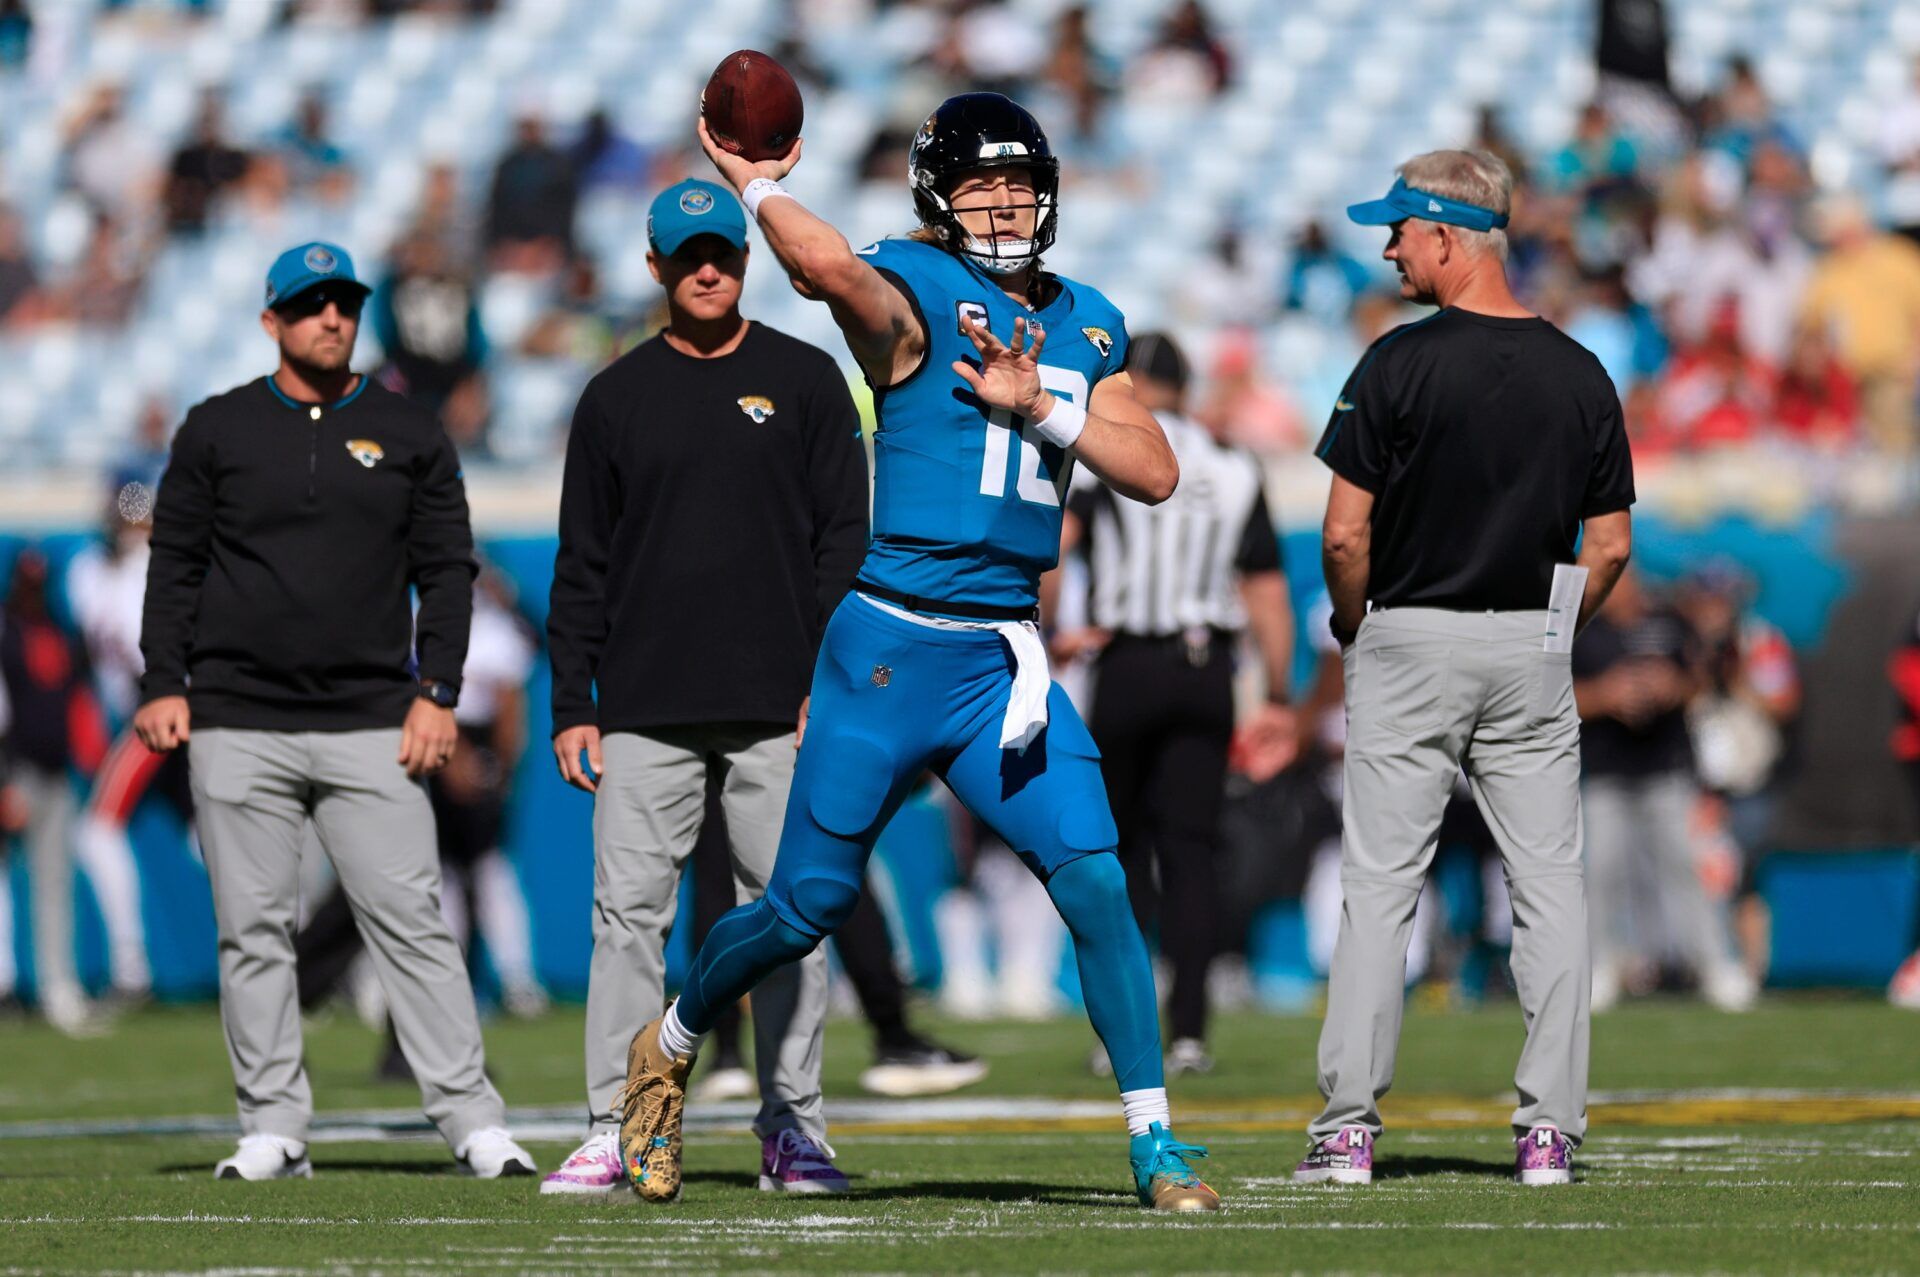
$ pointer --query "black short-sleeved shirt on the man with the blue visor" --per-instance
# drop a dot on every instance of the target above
(1485, 445)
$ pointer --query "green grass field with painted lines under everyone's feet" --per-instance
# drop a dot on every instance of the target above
(1787, 1142)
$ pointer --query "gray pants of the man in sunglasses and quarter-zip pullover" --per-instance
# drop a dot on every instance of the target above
(254, 794)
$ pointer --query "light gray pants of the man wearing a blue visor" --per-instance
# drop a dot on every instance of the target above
(1429, 694)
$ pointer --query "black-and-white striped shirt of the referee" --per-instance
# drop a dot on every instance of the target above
(1172, 567)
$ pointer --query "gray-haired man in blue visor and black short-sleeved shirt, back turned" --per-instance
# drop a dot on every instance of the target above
(1470, 452)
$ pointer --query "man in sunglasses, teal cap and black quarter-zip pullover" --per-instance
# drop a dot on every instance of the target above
(293, 519)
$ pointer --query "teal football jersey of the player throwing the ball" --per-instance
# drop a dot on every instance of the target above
(967, 498)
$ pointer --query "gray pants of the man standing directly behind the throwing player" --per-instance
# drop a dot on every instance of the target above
(646, 821)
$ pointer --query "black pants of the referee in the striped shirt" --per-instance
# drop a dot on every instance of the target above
(1163, 715)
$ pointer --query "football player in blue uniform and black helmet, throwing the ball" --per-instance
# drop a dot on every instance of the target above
(934, 662)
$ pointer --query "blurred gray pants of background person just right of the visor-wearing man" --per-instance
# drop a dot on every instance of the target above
(1639, 838)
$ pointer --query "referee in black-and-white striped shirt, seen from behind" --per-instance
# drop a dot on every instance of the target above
(1170, 590)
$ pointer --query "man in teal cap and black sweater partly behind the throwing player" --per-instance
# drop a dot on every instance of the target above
(711, 519)
